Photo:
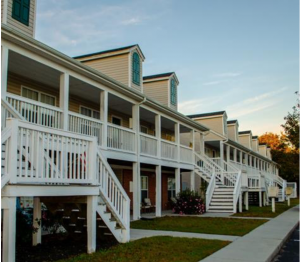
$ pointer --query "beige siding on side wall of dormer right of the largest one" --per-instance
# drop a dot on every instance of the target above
(157, 90)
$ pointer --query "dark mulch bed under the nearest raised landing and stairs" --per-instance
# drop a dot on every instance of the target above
(54, 248)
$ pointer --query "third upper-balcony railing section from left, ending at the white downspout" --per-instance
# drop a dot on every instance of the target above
(120, 138)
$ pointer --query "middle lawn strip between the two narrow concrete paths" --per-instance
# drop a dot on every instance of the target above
(207, 225)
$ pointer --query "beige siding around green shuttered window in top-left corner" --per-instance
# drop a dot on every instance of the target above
(28, 30)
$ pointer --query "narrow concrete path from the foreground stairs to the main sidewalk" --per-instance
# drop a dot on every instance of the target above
(141, 233)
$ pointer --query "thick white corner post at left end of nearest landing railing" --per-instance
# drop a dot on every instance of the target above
(13, 147)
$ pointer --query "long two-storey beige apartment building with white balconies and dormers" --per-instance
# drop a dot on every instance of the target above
(91, 137)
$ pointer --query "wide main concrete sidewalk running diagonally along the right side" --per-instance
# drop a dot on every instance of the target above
(262, 244)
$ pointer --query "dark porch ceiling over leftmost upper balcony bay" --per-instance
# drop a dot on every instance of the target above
(30, 69)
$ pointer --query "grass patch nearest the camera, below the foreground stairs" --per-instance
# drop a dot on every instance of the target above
(160, 249)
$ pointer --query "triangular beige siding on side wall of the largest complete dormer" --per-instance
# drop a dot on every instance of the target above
(115, 67)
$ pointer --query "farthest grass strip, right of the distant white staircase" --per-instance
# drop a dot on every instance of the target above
(255, 211)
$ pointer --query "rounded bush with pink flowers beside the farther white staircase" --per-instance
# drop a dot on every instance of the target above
(189, 203)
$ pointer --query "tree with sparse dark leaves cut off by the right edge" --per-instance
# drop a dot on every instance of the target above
(291, 126)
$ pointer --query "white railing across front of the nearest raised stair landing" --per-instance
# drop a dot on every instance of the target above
(41, 155)
